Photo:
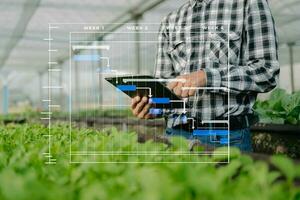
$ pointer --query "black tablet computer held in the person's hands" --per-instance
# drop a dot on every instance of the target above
(155, 89)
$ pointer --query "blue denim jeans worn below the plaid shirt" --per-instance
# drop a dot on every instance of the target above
(239, 138)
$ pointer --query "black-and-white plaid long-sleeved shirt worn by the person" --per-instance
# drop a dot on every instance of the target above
(233, 41)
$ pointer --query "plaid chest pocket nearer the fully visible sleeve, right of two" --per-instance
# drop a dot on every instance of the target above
(220, 51)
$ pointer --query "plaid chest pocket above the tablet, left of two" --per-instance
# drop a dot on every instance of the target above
(178, 55)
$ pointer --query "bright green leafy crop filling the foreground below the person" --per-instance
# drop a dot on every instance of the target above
(24, 175)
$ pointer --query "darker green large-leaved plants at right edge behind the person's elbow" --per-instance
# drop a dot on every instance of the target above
(280, 108)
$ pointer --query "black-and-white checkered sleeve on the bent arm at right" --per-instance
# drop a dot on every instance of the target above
(262, 69)
